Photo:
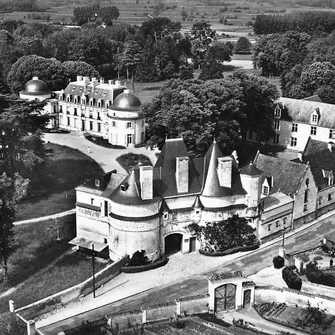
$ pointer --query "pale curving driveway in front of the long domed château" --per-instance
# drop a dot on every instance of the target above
(105, 157)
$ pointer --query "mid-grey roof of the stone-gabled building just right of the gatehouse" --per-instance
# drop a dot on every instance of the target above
(287, 175)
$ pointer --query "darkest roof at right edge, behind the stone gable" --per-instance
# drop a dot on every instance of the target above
(320, 158)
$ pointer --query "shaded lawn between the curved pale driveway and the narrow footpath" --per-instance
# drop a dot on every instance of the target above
(66, 168)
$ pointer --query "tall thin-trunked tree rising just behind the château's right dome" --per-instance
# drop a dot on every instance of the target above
(129, 58)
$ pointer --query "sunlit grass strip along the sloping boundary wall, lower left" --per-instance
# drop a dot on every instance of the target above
(70, 270)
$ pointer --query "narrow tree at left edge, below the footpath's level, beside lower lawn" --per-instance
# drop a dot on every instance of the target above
(12, 190)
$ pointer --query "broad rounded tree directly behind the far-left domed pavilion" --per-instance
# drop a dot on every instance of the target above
(25, 68)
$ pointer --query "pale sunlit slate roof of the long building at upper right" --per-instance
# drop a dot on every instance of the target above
(301, 110)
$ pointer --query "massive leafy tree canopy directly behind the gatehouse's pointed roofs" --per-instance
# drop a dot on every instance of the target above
(201, 110)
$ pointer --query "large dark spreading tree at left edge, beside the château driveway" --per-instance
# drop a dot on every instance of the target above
(21, 144)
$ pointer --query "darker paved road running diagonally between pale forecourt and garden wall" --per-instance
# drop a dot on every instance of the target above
(249, 264)
